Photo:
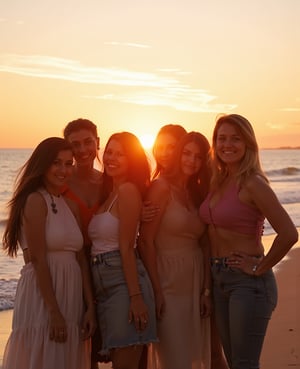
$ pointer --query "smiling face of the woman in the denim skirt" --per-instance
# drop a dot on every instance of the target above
(115, 160)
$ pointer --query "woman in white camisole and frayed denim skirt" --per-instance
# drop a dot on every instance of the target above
(125, 301)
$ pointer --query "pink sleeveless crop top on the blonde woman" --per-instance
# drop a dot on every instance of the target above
(232, 214)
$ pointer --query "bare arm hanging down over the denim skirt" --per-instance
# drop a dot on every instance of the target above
(129, 209)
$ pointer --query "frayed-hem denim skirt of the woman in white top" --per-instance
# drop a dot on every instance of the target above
(113, 303)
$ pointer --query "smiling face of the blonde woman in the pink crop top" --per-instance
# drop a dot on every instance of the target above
(230, 146)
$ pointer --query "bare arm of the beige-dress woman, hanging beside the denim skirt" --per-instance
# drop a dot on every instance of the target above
(158, 194)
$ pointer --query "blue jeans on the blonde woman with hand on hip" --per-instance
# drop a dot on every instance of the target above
(243, 308)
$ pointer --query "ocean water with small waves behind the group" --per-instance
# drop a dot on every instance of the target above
(281, 166)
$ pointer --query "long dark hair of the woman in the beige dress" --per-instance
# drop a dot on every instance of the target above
(198, 184)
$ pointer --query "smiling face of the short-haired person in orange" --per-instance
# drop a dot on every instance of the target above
(84, 145)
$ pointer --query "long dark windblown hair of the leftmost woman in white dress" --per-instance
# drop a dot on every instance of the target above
(29, 179)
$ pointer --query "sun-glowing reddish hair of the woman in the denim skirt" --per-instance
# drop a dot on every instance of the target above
(138, 164)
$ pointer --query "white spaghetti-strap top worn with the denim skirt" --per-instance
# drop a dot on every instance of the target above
(103, 231)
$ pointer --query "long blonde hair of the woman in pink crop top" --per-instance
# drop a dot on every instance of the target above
(250, 163)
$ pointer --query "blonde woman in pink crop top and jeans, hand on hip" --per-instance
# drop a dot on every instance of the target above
(240, 199)
